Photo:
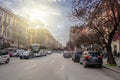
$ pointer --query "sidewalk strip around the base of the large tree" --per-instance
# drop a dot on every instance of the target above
(112, 68)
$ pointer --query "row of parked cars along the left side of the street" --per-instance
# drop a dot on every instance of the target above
(22, 54)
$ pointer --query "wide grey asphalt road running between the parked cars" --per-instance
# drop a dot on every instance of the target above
(51, 67)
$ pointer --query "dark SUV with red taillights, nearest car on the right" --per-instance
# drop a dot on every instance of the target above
(91, 58)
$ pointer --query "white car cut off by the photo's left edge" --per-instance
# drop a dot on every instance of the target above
(4, 56)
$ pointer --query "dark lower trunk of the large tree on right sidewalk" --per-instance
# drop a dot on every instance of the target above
(110, 59)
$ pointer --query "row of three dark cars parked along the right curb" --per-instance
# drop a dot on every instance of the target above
(85, 57)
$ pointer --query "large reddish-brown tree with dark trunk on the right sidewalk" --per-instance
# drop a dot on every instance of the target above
(103, 17)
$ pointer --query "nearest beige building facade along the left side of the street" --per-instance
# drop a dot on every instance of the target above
(13, 30)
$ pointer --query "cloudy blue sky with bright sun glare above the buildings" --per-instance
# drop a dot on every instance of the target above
(50, 14)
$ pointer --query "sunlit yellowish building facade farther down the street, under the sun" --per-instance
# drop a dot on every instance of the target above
(43, 37)
